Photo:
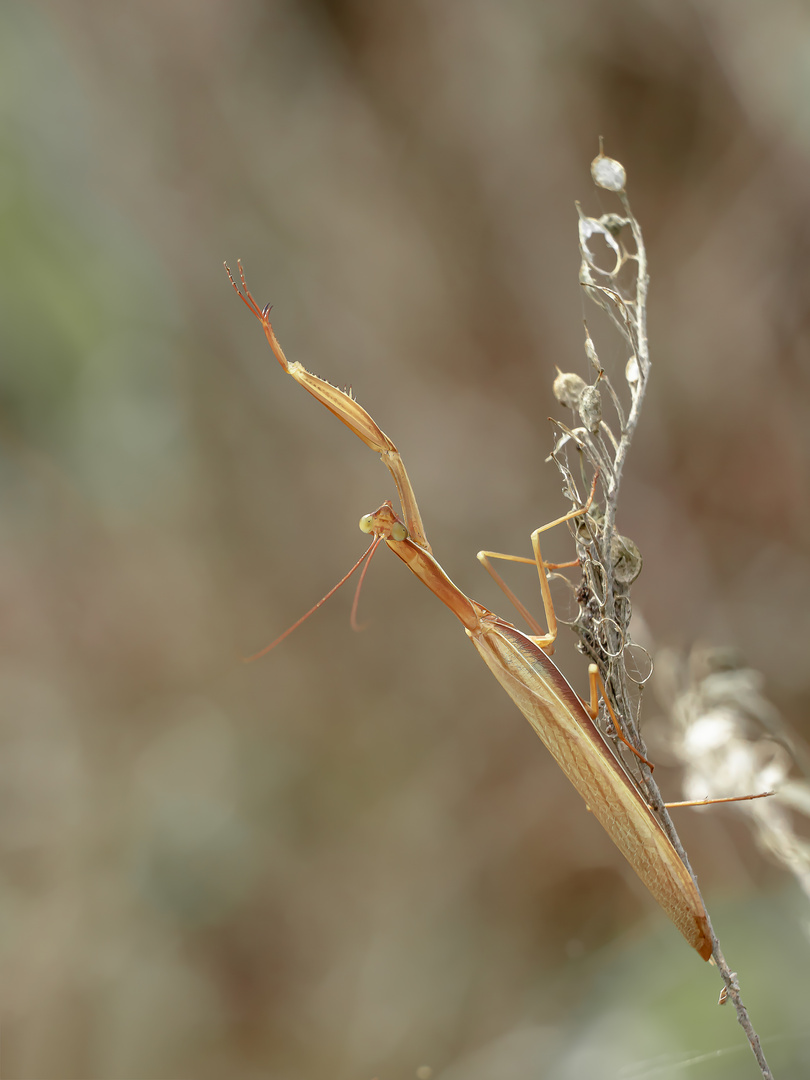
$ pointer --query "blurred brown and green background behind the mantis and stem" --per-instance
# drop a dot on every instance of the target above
(355, 859)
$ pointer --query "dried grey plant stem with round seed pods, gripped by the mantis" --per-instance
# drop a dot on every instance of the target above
(604, 598)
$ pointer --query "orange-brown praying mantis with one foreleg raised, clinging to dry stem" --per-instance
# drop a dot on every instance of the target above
(522, 665)
